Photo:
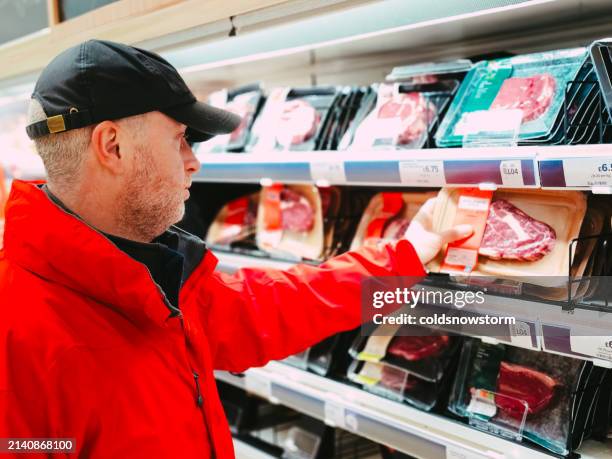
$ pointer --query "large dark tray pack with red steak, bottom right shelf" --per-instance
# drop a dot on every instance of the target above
(545, 398)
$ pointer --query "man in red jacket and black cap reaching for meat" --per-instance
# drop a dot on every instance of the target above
(113, 320)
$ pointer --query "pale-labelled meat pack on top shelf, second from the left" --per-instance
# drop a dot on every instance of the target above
(292, 119)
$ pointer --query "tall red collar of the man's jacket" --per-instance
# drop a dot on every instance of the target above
(57, 246)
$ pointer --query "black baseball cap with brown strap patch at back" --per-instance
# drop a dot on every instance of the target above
(101, 80)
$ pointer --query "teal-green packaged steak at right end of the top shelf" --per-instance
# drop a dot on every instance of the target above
(556, 92)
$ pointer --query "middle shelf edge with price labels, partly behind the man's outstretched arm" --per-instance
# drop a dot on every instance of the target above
(547, 327)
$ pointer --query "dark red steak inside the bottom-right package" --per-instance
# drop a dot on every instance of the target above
(520, 383)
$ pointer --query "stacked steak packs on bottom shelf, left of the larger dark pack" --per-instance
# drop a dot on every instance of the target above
(406, 364)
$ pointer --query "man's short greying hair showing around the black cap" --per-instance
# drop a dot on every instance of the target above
(63, 153)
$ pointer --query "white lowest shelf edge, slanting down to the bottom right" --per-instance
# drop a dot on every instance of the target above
(407, 429)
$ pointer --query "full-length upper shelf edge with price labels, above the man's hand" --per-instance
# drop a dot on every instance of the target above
(580, 167)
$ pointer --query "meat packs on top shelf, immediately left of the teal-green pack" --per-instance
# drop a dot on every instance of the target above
(405, 111)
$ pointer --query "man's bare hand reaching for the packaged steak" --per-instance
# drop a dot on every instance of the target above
(428, 243)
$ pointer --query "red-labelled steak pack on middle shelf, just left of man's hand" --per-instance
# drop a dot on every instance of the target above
(388, 216)
